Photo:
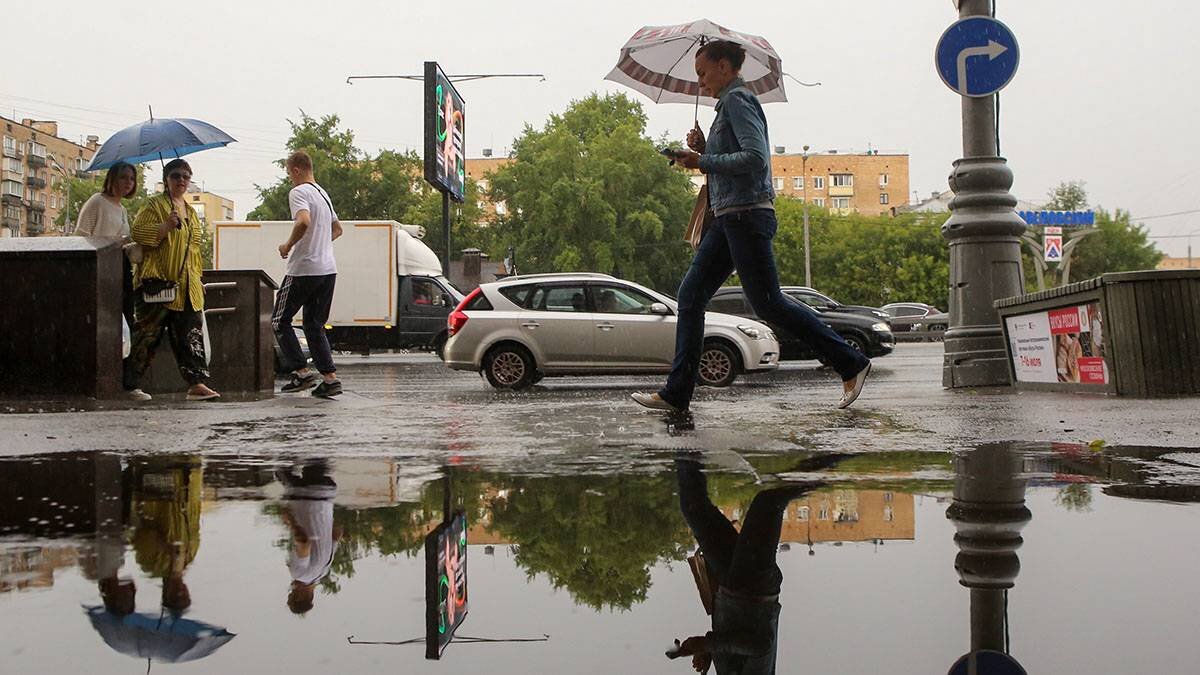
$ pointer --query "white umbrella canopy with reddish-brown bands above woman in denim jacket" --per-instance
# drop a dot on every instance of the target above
(659, 62)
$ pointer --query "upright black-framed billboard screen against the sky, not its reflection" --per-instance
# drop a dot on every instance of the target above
(446, 134)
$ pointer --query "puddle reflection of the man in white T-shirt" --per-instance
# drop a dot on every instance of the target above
(309, 515)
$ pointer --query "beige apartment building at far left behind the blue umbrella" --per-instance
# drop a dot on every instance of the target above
(33, 177)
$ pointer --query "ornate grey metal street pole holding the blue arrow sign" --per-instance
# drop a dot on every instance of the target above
(985, 240)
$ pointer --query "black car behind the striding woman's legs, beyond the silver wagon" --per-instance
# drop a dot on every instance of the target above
(873, 337)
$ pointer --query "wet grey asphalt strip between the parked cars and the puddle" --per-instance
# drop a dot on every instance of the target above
(411, 405)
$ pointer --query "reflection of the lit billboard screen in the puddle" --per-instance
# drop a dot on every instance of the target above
(446, 584)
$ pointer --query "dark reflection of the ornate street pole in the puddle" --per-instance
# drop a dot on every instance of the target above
(989, 513)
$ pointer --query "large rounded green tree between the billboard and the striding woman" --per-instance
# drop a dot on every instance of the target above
(590, 193)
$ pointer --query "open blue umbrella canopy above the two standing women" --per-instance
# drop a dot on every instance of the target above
(157, 140)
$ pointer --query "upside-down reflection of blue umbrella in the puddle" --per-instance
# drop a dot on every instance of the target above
(164, 638)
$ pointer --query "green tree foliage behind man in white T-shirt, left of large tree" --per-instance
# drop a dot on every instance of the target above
(389, 186)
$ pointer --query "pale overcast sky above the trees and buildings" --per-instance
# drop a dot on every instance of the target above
(1106, 92)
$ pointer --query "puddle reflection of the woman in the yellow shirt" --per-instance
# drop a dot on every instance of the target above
(167, 523)
